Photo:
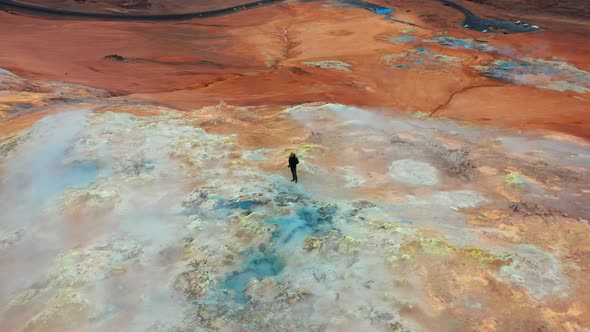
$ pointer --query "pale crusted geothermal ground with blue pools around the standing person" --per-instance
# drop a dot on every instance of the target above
(160, 225)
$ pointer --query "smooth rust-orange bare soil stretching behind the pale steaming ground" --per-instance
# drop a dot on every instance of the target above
(256, 58)
